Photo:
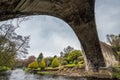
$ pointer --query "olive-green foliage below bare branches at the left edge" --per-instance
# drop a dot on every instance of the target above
(7, 53)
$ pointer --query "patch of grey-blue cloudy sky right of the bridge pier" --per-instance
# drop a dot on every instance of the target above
(107, 17)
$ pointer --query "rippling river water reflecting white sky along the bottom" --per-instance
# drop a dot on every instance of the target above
(19, 74)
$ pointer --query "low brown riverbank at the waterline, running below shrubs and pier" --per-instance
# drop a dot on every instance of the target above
(74, 72)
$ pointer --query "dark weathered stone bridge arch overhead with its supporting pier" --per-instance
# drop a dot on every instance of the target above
(79, 14)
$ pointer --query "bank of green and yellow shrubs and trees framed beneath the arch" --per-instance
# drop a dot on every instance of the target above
(69, 59)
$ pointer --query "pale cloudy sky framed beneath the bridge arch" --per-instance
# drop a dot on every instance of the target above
(49, 35)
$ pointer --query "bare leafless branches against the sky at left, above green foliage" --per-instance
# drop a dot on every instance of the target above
(21, 42)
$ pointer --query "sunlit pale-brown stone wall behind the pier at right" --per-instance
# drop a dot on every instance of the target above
(109, 54)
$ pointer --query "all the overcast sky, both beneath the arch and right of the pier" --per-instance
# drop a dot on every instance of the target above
(50, 35)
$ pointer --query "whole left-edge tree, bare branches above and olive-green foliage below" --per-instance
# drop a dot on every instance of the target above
(12, 45)
